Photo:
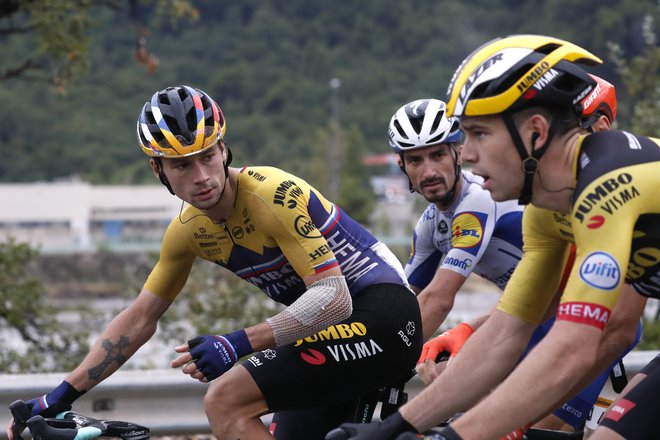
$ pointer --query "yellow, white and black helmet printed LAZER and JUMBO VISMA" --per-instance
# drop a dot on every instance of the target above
(508, 74)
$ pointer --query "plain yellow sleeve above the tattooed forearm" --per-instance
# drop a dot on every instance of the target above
(170, 273)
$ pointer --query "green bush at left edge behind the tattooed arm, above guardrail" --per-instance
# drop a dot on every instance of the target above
(27, 317)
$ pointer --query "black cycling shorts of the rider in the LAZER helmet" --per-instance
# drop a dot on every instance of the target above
(635, 415)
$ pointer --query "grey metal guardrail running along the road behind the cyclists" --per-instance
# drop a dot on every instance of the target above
(167, 401)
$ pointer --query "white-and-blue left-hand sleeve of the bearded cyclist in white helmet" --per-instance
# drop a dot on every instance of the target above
(424, 257)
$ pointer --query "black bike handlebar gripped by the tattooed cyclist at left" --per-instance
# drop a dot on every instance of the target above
(72, 426)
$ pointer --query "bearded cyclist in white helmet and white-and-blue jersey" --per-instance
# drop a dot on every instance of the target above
(462, 230)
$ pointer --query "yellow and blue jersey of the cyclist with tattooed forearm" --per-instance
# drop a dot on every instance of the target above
(280, 230)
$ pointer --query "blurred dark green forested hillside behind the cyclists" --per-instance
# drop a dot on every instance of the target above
(269, 64)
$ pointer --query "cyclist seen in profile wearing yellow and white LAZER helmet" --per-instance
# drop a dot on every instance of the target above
(518, 98)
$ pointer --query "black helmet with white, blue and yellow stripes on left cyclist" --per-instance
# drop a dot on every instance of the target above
(179, 121)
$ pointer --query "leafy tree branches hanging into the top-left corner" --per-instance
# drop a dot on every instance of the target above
(54, 35)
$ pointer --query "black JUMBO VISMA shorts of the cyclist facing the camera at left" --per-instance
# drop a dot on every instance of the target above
(313, 385)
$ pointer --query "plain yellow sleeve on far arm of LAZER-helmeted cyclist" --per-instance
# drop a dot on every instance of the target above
(535, 281)
